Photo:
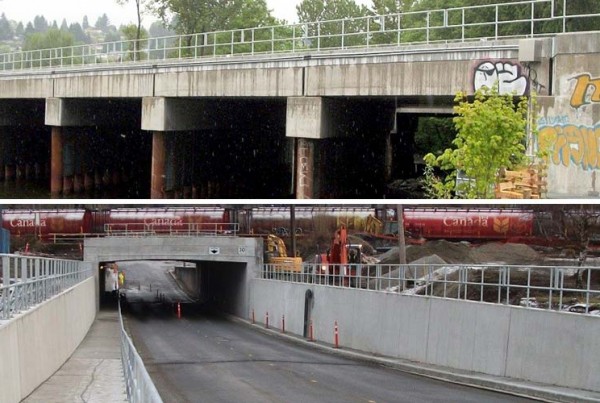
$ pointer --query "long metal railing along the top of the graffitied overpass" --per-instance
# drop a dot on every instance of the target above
(461, 24)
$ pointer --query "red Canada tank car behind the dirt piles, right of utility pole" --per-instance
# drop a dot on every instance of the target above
(468, 224)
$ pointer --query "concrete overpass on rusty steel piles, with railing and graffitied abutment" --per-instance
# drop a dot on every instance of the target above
(298, 111)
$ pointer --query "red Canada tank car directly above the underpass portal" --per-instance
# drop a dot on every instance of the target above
(166, 219)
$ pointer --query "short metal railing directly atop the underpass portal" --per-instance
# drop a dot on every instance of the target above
(136, 230)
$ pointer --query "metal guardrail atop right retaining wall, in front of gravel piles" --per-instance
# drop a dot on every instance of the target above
(549, 287)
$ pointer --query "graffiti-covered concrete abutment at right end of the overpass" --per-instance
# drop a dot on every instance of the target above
(569, 121)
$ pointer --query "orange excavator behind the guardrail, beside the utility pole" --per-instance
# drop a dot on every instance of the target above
(340, 265)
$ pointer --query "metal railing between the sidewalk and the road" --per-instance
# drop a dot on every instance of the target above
(140, 387)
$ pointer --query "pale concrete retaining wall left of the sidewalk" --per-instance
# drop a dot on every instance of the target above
(35, 344)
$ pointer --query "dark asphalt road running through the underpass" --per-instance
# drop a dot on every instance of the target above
(203, 357)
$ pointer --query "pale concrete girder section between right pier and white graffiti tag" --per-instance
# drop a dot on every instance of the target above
(434, 70)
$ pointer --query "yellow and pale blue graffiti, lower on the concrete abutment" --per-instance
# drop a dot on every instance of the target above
(570, 144)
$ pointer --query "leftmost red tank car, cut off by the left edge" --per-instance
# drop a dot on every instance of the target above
(42, 223)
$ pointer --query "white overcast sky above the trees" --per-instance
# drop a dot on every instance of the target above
(74, 10)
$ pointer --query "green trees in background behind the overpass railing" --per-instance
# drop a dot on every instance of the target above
(186, 17)
